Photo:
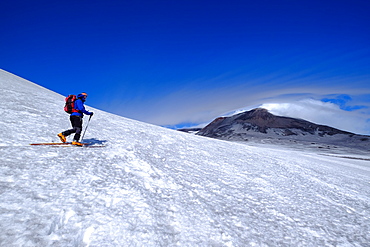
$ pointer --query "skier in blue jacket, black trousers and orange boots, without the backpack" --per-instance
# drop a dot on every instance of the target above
(76, 120)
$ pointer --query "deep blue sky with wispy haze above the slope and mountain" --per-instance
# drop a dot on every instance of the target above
(183, 63)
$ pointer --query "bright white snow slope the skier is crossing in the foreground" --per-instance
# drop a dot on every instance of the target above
(152, 186)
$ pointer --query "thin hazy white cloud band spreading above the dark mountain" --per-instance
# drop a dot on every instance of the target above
(202, 107)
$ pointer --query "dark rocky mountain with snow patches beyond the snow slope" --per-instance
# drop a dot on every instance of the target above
(260, 123)
